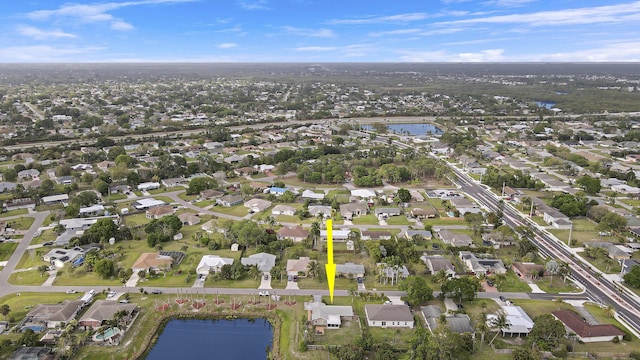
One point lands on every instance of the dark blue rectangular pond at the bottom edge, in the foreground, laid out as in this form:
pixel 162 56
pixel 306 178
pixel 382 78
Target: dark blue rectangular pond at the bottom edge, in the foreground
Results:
pixel 207 339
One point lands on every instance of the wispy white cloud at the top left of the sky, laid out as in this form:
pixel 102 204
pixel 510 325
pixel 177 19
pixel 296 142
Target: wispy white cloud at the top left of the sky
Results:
pixel 95 13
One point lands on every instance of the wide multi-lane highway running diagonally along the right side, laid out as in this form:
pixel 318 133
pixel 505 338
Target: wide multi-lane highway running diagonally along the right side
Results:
pixel 597 288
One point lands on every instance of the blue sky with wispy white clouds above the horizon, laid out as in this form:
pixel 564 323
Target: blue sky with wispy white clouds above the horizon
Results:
pixel 320 31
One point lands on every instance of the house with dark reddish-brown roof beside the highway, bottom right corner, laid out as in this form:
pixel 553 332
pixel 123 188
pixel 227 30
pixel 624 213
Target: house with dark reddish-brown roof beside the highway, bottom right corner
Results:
pixel 584 331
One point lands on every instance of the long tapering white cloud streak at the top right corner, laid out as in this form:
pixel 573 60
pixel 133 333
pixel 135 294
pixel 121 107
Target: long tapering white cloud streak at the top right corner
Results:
pixel 588 15
